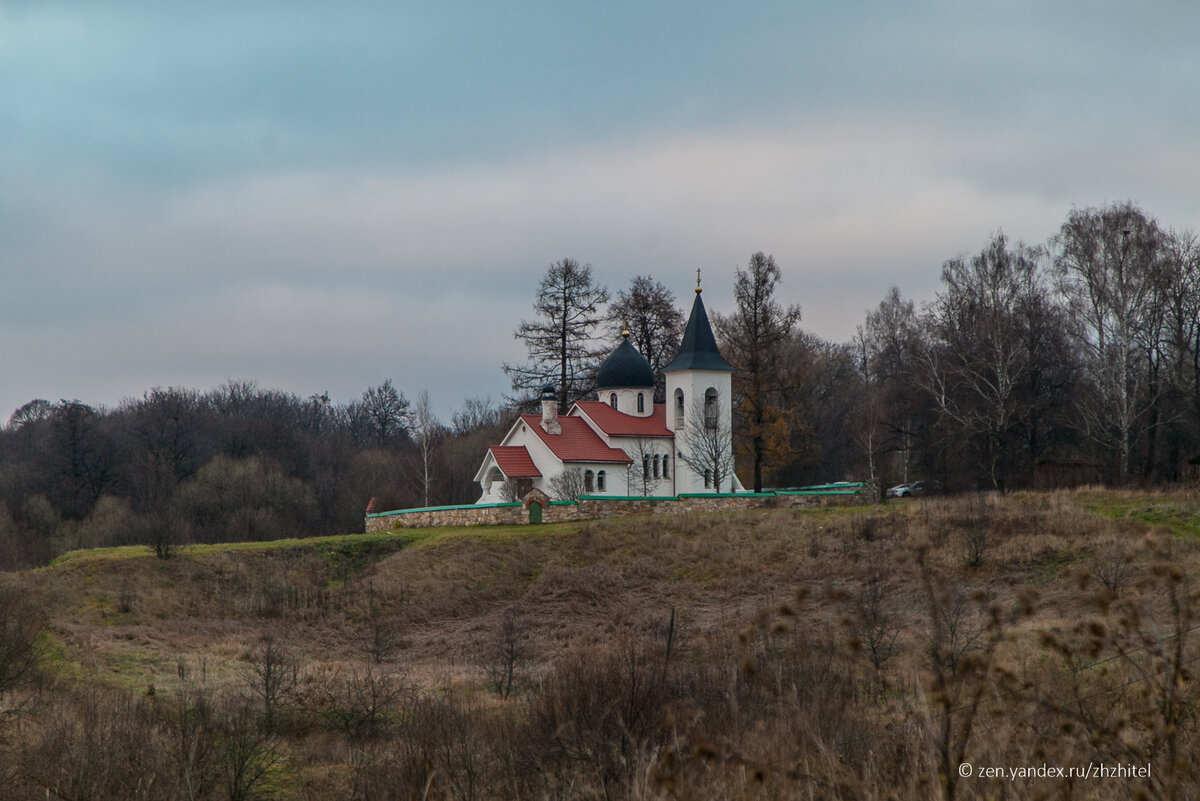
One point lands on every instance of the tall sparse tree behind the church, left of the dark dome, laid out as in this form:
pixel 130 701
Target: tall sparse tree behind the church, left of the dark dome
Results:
pixel 560 339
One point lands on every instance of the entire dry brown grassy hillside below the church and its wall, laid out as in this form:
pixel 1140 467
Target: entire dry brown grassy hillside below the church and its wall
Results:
pixel 884 653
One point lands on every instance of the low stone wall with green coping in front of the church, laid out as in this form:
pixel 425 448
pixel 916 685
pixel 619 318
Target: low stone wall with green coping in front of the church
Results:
pixel 598 508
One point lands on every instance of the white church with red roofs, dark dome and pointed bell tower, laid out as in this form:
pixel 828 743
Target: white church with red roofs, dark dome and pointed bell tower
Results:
pixel 625 444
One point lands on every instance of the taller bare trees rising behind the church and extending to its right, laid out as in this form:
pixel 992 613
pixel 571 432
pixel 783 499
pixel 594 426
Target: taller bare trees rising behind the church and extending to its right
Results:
pixel 1072 362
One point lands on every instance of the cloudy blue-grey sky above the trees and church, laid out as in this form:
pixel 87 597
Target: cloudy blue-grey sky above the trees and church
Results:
pixel 322 196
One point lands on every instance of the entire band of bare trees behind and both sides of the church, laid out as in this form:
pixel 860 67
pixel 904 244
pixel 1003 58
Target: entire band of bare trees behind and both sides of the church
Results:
pixel 1077 360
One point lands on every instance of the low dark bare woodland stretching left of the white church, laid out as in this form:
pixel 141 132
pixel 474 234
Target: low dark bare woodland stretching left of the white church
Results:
pixel 236 463
